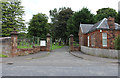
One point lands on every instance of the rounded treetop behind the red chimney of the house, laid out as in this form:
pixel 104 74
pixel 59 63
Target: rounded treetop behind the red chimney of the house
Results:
pixel 105 13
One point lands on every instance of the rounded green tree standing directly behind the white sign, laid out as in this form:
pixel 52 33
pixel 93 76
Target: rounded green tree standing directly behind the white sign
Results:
pixel 38 25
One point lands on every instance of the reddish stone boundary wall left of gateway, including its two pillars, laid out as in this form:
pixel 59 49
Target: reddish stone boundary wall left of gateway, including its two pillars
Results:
pixel 9 46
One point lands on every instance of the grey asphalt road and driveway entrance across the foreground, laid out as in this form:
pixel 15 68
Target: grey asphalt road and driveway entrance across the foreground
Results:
pixel 57 63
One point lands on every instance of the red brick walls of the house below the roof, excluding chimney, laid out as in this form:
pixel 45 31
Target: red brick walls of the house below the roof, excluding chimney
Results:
pixel 111 34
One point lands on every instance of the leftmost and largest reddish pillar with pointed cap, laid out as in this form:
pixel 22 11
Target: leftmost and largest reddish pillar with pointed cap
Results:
pixel 14 36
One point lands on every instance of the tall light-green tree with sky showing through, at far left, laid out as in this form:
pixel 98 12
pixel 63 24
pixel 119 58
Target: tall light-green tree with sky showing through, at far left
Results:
pixel 12 13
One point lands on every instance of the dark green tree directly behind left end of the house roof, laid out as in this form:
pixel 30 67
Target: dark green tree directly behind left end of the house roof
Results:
pixel 83 16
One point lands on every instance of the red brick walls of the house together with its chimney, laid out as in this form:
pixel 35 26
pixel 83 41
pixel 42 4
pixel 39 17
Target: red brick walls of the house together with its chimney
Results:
pixel 95 37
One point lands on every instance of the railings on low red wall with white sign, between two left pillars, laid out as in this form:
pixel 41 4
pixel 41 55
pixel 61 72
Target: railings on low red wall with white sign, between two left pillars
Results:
pixel 32 45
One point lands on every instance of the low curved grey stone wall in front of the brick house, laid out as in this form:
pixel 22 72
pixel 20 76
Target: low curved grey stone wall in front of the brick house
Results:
pixel 100 52
